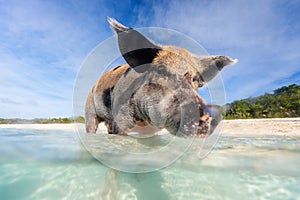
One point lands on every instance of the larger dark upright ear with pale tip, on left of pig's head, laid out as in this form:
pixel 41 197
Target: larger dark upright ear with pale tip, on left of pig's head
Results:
pixel 136 49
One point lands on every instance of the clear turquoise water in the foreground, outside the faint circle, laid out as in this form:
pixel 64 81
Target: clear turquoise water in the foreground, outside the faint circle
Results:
pixel 52 164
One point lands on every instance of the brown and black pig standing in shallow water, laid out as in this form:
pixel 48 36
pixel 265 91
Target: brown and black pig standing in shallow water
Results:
pixel 156 88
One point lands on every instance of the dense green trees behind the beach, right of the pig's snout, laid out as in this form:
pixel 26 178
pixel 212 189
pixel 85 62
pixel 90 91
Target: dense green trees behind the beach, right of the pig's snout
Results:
pixel 284 102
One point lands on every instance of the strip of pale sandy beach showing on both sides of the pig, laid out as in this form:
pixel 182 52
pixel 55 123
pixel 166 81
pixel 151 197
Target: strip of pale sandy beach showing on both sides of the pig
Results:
pixel 240 127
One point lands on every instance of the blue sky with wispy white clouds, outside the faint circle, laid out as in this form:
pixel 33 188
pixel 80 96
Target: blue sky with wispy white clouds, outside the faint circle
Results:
pixel 44 43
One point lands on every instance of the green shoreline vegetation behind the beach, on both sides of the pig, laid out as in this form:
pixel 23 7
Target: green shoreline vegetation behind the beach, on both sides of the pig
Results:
pixel 284 102
